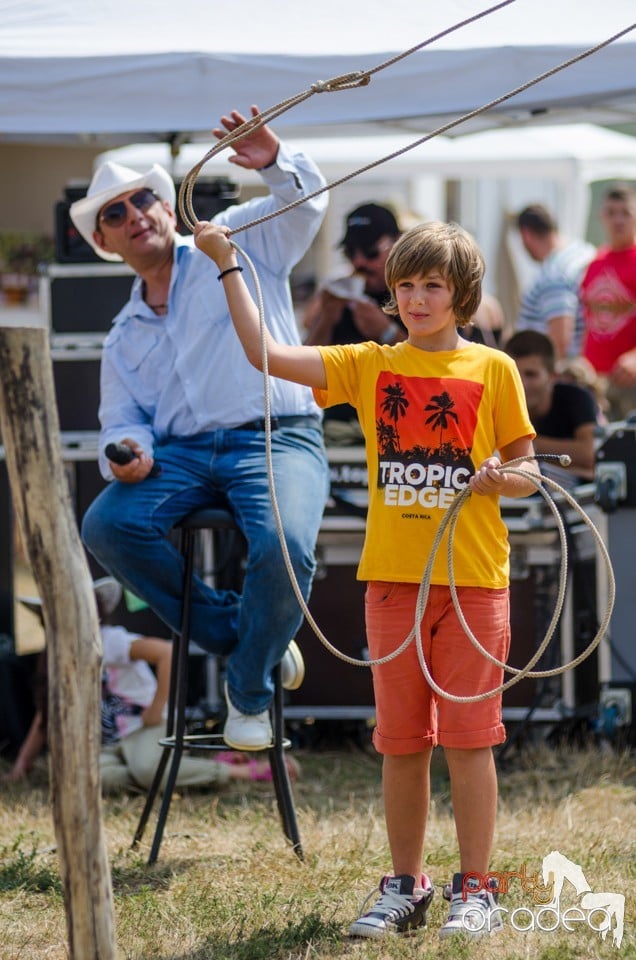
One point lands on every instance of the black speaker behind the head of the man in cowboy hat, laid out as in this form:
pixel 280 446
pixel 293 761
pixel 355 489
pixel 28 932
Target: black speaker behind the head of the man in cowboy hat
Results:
pixel 209 197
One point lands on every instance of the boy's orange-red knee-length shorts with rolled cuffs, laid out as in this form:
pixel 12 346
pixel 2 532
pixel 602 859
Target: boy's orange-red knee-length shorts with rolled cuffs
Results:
pixel 410 715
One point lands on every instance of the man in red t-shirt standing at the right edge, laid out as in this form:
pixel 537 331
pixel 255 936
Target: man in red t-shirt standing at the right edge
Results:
pixel 608 293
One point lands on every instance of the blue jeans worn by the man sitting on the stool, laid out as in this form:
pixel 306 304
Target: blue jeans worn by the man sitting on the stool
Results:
pixel 126 529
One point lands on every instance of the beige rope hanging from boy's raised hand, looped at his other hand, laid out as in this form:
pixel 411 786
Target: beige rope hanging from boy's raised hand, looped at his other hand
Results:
pixel 449 521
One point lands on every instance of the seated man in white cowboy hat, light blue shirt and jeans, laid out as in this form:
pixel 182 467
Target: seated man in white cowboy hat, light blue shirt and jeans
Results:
pixel 177 390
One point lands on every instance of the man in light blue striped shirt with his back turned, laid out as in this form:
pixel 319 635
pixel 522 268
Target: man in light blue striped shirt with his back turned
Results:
pixel 551 303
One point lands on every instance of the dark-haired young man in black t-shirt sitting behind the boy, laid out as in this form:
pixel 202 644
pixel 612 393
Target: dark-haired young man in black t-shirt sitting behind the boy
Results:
pixel 564 415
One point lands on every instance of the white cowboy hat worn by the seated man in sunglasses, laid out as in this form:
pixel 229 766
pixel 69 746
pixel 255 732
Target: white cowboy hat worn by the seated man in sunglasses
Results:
pixel 111 180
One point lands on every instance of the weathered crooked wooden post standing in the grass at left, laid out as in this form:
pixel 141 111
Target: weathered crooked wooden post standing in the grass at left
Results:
pixel 41 500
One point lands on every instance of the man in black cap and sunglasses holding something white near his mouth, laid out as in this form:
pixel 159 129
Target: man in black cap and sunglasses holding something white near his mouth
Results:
pixel 349 309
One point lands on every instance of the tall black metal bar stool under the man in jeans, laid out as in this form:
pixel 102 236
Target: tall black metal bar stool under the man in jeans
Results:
pixel 176 737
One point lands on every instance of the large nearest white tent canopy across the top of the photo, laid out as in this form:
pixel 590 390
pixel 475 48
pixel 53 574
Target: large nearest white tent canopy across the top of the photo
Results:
pixel 111 71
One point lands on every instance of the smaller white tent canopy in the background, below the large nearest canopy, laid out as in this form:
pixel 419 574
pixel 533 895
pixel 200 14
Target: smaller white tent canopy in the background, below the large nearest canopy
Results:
pixel 560 162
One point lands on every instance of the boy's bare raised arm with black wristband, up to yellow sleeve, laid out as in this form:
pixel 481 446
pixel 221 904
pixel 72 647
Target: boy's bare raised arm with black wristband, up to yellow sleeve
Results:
pixel 301 364
